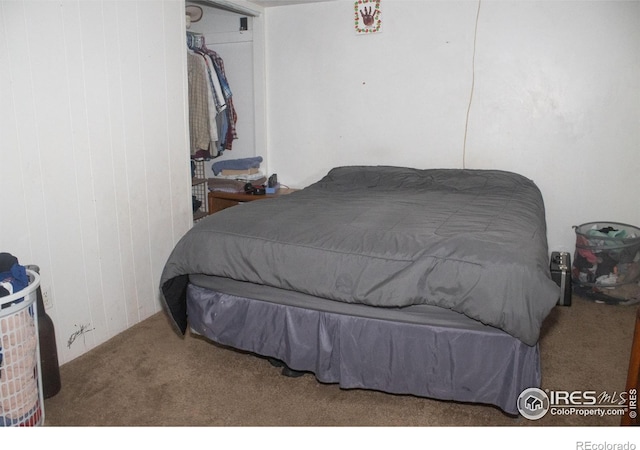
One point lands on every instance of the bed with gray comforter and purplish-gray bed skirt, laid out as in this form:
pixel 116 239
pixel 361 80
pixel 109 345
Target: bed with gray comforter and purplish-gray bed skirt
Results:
pixel 427 282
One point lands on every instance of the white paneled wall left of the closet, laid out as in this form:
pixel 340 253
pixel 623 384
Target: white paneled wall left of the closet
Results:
pixel 94 156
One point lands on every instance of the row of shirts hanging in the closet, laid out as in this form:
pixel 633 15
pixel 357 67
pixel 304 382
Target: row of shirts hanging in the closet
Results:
pixel 212 116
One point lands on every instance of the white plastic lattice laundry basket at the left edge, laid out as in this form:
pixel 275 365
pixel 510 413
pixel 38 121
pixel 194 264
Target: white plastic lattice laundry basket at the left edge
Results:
pixel 21 396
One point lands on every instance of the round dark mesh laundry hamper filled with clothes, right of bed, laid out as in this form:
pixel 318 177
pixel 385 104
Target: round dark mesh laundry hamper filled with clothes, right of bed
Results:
pixel 606 263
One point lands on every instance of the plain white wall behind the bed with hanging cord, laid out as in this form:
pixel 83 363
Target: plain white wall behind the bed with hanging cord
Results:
pixel 556 96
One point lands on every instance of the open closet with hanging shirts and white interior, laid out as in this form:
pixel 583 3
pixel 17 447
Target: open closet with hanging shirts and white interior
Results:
pixel 224 44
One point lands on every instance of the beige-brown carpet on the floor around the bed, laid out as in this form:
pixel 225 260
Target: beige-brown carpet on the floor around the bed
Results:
pixel 150 376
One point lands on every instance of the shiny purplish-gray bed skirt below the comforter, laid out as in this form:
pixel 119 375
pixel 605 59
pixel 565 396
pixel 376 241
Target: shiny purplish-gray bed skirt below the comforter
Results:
pixel 474 363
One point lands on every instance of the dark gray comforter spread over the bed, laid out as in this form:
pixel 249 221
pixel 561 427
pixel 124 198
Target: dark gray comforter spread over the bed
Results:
pixel 473 241
